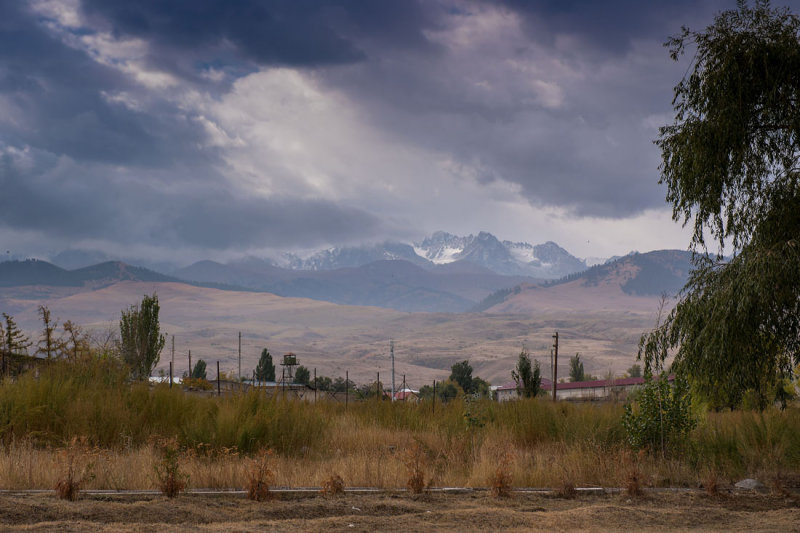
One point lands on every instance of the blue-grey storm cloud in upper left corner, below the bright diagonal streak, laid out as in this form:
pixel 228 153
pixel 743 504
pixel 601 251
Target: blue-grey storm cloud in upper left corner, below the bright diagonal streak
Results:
pixel 55 101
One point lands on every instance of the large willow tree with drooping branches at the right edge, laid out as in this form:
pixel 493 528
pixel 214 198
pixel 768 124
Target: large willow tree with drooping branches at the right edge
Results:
pixel 730 165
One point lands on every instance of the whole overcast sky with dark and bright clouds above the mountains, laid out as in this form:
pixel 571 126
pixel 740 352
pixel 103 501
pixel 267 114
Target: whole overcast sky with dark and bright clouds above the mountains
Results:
pixel 180 130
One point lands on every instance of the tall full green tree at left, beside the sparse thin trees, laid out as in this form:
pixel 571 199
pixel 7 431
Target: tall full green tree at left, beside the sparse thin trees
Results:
pixel 141 341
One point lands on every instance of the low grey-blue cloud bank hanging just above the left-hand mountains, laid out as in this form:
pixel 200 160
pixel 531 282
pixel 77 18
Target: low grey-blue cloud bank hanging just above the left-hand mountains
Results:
pixel 41 194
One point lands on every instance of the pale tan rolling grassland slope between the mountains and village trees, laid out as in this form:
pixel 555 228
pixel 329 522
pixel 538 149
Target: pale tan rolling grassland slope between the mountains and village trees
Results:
pixel 336 338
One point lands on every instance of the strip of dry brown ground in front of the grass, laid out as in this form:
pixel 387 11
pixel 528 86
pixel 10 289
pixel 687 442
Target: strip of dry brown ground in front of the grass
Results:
pixel 401 512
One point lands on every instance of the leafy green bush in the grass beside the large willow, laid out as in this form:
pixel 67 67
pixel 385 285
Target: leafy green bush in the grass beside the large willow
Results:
pixel 662 418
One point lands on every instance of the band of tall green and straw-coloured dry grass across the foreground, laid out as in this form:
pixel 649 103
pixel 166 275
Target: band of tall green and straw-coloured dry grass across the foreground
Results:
pixel 553 445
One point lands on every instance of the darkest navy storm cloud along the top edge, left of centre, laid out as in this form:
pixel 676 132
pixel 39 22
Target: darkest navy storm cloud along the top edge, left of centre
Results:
pixel 185 36
